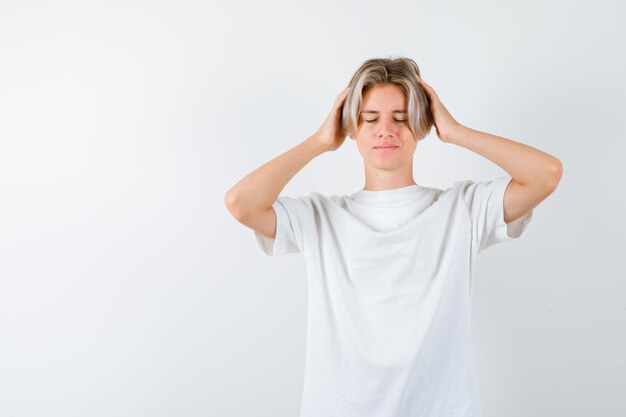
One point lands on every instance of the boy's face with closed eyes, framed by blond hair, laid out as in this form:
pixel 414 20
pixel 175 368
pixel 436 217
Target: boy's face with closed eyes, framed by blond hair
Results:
pixel 383 122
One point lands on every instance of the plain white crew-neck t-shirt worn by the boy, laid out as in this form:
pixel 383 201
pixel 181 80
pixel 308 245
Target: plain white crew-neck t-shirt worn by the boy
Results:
pixel 390 278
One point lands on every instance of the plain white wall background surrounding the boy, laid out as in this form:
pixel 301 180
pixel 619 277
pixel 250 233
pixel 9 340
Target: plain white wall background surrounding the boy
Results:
pixel 127 288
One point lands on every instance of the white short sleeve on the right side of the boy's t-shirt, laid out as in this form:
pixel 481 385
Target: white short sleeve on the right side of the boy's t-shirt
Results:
pixel 485 203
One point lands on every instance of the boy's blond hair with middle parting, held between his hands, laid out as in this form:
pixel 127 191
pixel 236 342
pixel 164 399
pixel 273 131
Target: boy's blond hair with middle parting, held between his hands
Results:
pixel 402 72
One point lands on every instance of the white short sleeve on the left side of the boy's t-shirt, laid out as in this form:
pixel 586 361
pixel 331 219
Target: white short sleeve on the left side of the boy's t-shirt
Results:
pixel 295 227
